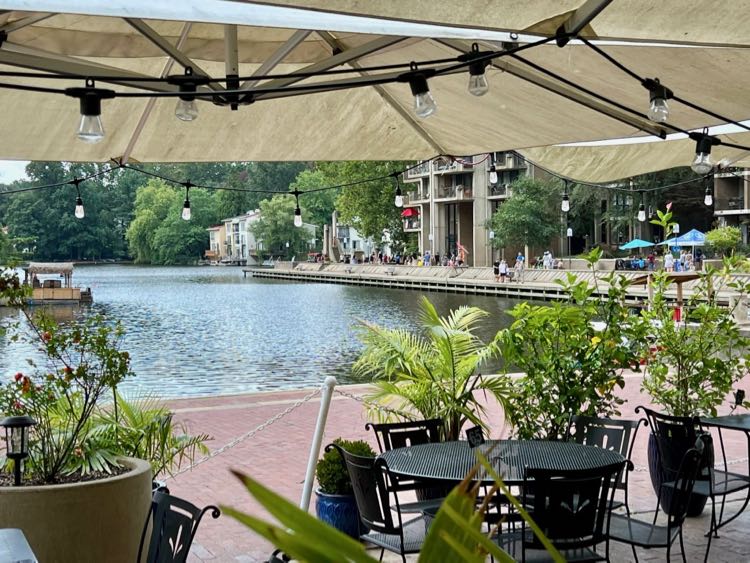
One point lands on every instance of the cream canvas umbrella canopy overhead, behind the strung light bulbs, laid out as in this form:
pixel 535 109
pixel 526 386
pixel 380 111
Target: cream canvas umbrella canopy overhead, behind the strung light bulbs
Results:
pixel 701 58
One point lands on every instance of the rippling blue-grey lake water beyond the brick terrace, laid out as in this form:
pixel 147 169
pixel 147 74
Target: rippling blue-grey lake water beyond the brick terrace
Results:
pixel 196 331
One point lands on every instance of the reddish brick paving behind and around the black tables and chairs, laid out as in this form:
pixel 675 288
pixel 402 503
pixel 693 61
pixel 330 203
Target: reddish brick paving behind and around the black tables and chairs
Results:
pixel 277 456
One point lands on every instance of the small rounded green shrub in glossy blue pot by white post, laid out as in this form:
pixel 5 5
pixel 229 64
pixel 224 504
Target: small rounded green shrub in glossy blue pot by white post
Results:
pixel 335 502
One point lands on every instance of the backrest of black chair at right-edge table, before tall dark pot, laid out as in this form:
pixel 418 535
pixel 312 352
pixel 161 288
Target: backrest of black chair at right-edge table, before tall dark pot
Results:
pixel 675 435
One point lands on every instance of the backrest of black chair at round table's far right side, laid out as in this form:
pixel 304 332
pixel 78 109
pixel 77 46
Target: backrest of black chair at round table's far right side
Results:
pixel 608 433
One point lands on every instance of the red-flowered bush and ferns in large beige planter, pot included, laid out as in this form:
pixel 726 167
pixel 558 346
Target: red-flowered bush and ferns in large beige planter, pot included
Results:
pixel 81 499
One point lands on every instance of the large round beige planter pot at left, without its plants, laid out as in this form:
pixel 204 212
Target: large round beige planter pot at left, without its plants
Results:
pixel 95 521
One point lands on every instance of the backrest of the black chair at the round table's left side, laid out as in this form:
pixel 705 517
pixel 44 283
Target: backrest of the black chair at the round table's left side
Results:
pixel 370 484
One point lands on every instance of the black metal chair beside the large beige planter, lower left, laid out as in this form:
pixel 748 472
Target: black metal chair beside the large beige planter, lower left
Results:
pixel 175 522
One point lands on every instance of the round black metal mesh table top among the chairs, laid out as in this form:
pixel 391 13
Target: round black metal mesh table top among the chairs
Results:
pixel 452 461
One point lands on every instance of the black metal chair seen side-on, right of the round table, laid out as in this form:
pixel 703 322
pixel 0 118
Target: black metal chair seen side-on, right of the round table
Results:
pixel 648 535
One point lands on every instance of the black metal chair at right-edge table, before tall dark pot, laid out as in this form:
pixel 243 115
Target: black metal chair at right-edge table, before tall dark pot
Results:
pixel 675 435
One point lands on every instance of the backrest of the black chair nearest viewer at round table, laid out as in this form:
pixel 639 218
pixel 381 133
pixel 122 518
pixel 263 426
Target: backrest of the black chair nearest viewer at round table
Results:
pixel 571 507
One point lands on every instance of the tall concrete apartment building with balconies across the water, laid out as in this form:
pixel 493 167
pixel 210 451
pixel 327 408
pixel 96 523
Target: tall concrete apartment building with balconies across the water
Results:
pixel 448 202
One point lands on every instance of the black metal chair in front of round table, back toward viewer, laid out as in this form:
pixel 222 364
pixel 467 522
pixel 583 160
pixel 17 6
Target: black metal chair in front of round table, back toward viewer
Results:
pixel 572 508
